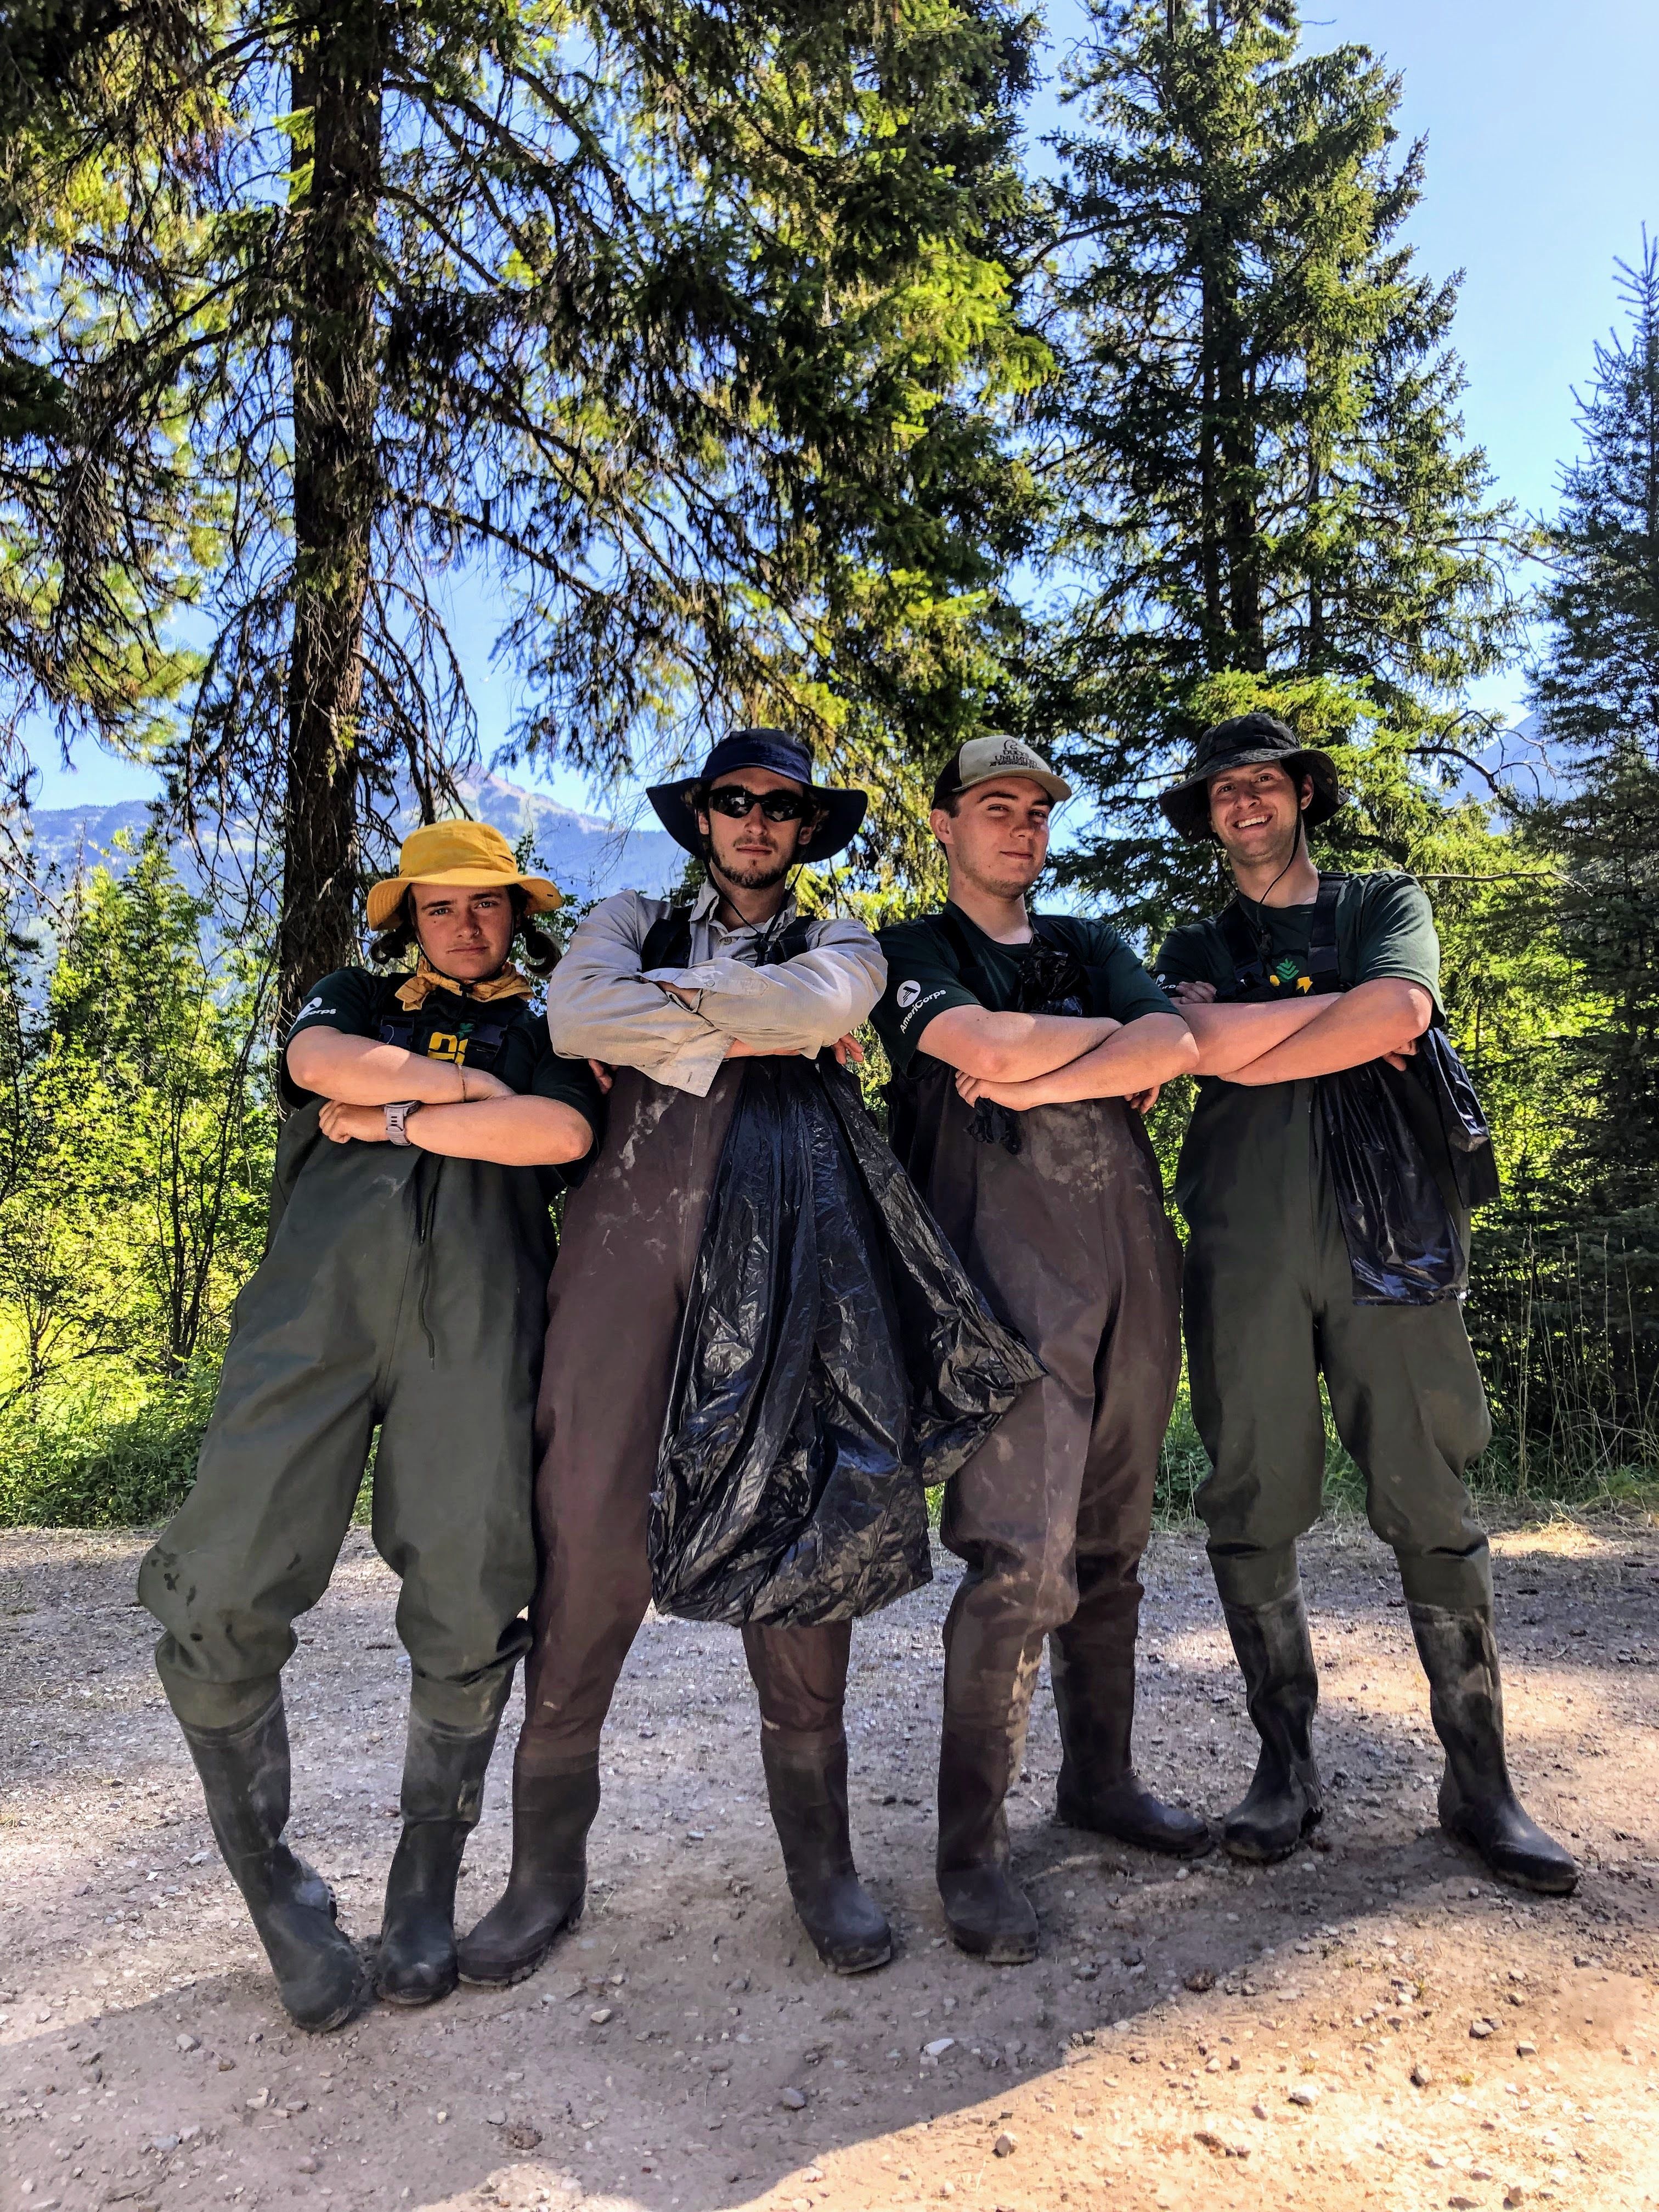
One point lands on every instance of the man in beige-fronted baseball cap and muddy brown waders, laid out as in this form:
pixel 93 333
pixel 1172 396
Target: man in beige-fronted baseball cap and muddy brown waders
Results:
pixel 1019 1047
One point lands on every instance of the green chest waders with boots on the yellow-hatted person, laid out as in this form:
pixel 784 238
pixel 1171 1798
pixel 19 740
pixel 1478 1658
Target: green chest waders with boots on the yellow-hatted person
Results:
pixel 401 1293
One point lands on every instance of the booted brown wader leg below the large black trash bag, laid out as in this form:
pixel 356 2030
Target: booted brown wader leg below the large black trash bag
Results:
pixel 802 1680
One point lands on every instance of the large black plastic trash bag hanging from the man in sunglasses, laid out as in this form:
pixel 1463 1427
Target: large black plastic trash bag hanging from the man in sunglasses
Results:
pixel 833 1361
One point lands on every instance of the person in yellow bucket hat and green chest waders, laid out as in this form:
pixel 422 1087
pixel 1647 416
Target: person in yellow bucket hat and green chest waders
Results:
pixel 401 1297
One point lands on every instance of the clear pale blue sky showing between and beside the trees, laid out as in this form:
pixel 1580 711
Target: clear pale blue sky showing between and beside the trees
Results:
pixel 1543 127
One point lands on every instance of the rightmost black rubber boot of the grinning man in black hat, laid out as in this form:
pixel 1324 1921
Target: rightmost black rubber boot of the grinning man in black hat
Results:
pixel 1477 1799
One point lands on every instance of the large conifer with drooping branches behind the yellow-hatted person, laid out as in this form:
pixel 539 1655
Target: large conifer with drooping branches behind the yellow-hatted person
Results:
pixel 685 322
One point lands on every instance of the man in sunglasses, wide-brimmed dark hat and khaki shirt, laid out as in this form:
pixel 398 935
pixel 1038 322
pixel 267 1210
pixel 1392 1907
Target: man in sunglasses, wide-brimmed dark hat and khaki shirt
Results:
pixel 676 999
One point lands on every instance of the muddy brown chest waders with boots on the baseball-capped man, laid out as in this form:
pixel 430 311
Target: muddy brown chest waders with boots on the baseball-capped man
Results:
pixel 1058 1215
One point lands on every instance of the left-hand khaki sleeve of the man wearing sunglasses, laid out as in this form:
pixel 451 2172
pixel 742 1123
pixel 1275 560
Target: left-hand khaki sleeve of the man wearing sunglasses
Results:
pixel 601 1008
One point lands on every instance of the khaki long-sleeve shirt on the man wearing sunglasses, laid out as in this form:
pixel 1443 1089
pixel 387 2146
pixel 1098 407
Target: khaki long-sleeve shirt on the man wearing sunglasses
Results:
pixel 676 1025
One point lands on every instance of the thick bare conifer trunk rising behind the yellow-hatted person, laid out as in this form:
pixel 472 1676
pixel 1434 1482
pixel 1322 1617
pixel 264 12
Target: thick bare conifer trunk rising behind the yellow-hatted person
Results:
pixel 335 364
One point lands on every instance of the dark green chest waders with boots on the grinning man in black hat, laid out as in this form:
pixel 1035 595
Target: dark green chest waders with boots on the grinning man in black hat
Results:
pixel 1269 1304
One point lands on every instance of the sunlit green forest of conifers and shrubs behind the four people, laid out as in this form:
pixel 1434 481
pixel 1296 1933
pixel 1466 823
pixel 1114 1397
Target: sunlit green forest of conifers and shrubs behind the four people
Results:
pixel 766 373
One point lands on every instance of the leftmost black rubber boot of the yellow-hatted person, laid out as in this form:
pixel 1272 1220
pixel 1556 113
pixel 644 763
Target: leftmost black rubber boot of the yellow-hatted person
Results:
pixel 244 1777
